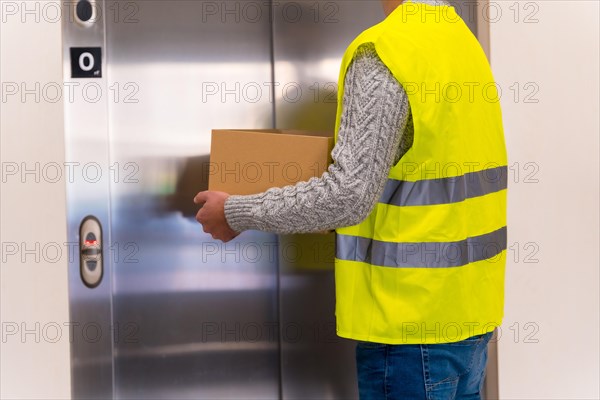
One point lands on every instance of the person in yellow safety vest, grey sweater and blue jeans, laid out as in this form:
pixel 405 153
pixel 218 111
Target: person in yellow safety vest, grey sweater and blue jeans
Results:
pixel 417 195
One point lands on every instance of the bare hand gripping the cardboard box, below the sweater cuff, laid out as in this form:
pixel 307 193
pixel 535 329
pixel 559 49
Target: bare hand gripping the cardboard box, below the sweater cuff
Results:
pixel 212 215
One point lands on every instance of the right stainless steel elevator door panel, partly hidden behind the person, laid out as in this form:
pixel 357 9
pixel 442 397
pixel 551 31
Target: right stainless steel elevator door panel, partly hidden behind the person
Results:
pixel 309 40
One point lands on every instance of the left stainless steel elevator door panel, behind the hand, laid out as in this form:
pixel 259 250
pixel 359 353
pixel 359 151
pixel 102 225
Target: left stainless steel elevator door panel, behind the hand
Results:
pixel 198 319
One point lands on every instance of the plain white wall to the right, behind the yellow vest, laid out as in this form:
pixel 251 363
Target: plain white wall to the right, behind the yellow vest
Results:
pixel 559 214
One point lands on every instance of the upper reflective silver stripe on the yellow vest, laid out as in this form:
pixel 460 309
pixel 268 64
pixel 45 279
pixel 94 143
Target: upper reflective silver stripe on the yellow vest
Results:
pixel 444 190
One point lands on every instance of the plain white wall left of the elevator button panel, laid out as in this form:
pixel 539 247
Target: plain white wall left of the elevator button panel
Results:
pixel 33 293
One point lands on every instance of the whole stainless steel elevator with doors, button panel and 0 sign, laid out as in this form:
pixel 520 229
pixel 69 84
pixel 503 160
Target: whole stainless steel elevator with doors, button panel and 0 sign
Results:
pixel 163 310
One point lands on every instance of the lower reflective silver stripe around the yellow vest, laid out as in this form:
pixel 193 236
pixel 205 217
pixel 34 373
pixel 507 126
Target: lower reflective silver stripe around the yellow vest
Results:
pixel 421 255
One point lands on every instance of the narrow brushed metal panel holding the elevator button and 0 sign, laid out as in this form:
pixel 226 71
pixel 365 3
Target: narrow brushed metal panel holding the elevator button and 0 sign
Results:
pixel 87 163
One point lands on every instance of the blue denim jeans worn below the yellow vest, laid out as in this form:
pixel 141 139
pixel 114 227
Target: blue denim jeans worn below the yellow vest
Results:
pixel 443 371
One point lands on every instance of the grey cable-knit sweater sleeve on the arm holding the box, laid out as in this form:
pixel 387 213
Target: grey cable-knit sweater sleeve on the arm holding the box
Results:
pixel 375 112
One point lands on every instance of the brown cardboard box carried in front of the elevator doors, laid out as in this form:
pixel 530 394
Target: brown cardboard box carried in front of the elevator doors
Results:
pixel 249 161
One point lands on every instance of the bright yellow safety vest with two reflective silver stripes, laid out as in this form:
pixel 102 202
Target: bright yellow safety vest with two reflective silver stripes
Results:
pixel 427 265
